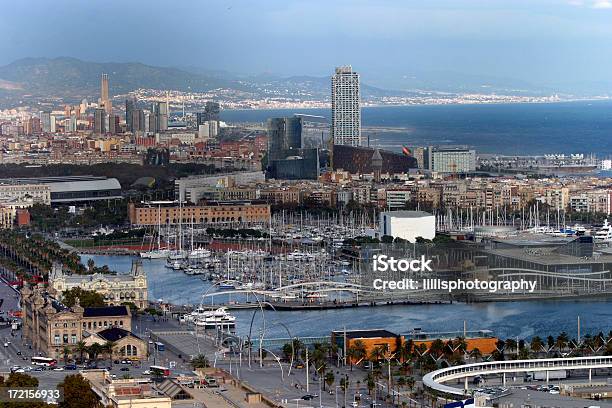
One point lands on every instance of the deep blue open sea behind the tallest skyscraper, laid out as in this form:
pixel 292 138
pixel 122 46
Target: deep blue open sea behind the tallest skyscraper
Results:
pixel 510 129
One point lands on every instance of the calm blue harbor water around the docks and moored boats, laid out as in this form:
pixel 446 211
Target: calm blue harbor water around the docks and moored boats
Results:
pixel 522 319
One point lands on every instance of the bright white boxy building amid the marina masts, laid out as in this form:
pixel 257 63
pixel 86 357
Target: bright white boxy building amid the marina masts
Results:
pixel 408 225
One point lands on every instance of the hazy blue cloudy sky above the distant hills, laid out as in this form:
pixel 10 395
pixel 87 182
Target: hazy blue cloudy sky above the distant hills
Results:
pixel 538 41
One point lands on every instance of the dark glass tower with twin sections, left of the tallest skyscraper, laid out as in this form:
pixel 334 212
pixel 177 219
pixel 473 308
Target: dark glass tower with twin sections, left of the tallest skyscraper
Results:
pixel 283 134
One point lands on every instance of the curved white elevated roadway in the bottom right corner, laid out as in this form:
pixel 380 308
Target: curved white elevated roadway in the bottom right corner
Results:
pixel 435 379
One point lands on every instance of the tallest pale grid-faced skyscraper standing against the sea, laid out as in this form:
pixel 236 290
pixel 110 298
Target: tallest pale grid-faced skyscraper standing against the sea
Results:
pixel 346 109
